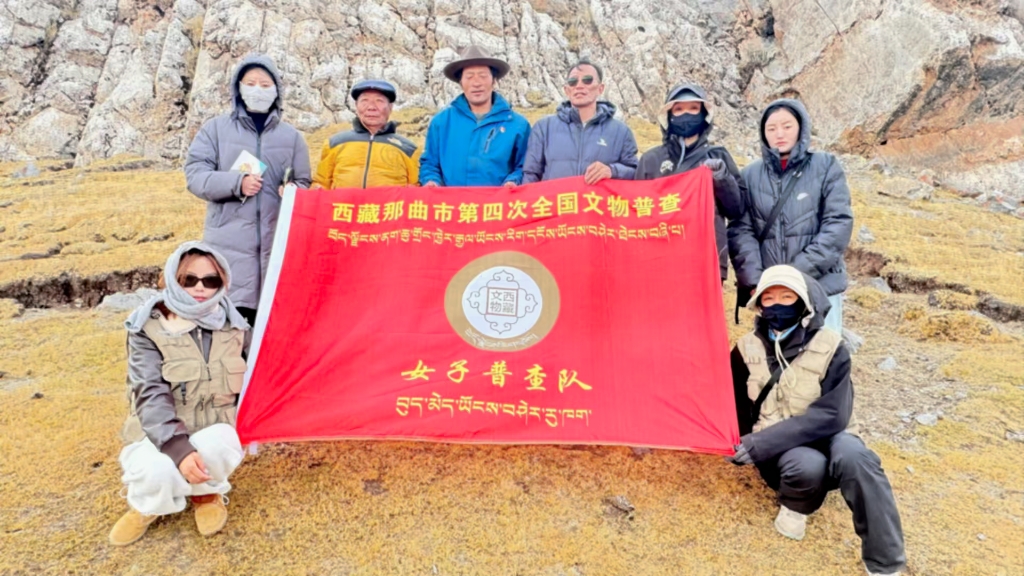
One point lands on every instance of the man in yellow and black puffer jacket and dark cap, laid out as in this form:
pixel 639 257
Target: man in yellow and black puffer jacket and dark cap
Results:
pixel 371 154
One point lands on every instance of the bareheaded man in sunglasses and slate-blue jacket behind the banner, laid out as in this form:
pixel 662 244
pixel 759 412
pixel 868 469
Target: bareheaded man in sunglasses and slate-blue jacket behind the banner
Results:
pixel 583 139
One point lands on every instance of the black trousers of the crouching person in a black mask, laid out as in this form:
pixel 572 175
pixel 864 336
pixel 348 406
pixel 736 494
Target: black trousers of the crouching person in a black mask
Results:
pixel 804 476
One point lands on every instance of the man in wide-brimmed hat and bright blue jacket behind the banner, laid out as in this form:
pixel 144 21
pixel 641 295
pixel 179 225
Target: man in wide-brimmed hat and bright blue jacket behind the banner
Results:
pixel 477 141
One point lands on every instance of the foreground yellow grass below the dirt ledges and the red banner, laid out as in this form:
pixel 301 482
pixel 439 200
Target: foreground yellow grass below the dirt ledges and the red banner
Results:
pixel 404 509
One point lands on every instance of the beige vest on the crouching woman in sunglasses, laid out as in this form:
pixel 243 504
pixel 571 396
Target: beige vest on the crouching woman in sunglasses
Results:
pixel 205 393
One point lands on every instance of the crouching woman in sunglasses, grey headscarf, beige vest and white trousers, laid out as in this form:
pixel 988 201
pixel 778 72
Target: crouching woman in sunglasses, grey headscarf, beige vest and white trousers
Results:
pixel 185 374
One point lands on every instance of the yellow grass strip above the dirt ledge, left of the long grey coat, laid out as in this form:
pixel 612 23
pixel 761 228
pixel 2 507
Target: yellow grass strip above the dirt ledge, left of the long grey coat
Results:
pixel 99 222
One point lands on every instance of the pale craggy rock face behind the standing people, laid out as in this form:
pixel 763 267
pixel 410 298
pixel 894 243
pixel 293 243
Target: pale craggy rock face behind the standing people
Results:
pixel 911 81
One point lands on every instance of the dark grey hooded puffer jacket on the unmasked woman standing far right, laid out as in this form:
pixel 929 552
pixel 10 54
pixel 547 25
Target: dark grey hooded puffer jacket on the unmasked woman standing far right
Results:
pixel 814 230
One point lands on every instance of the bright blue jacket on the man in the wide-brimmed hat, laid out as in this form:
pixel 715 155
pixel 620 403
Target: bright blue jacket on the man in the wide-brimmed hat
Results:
pixel 462 151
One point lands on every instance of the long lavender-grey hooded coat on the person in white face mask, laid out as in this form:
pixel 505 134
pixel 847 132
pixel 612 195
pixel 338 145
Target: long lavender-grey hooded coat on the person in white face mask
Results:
pixel 243 231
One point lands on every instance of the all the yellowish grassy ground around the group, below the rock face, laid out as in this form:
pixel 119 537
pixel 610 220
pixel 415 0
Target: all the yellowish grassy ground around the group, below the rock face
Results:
pixel 365 508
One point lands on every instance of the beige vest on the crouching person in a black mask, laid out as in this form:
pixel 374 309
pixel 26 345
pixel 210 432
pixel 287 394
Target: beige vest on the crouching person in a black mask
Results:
pixel 798 387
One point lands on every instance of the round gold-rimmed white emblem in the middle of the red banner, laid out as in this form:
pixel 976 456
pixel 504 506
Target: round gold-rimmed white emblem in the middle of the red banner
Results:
pixel 505 302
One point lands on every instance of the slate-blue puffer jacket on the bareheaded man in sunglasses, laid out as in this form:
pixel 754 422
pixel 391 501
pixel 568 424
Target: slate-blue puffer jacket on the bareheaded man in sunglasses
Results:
pixel 562 146
